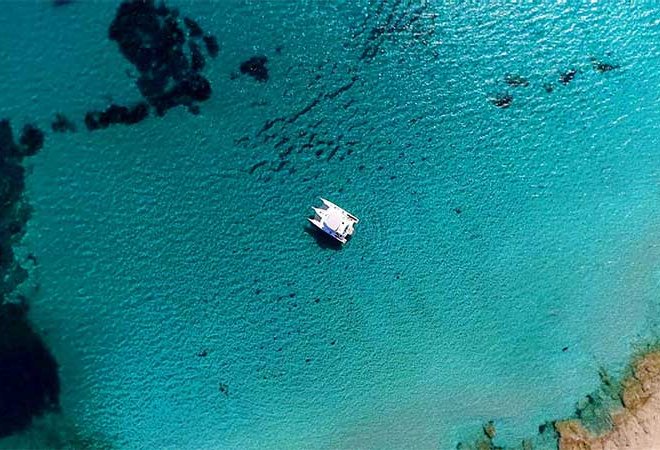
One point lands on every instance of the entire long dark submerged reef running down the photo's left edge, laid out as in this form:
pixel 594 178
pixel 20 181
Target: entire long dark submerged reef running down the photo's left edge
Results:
pixel 29 381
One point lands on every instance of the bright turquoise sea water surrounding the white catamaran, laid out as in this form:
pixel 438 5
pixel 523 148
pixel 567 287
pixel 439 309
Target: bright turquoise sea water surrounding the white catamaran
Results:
pixel 159 242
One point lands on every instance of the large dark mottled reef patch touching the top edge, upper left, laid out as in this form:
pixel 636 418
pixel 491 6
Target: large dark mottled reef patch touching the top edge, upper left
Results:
pixel 152 39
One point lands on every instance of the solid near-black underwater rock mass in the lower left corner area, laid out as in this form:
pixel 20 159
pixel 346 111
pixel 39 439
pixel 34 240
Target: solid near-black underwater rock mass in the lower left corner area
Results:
pixel 30 382
